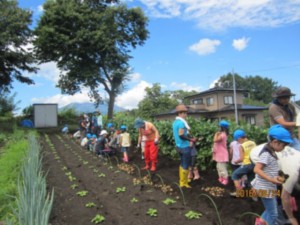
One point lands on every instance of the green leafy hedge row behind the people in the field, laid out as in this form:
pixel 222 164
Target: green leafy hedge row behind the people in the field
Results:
pixel 204 130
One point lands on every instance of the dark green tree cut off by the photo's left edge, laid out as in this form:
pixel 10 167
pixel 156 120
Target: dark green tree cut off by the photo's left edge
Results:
pixel 15 36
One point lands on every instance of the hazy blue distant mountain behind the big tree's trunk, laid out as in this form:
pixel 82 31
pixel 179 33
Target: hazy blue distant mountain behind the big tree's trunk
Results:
pixel 88 107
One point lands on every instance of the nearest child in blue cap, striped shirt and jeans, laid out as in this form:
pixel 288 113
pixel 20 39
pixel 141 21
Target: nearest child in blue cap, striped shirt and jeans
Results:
pixel 266 170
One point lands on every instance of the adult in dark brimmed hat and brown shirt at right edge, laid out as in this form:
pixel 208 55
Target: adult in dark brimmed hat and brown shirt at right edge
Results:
pixel 282 112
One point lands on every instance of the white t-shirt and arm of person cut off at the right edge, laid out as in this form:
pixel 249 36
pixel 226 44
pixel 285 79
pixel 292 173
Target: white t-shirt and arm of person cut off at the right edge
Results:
pixel 289 163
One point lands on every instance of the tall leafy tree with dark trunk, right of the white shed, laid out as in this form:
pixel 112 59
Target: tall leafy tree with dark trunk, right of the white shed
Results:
pixel 91 42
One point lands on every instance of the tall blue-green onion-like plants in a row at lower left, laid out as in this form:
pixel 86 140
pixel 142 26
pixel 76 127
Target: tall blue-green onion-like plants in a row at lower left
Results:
pixel 34 204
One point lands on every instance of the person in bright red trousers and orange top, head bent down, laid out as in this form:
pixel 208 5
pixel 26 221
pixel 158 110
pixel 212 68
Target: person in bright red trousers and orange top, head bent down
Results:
pixel 150 135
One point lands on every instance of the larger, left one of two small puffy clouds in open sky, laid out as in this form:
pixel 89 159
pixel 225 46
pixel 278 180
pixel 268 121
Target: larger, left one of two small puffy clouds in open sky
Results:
pixel 205 46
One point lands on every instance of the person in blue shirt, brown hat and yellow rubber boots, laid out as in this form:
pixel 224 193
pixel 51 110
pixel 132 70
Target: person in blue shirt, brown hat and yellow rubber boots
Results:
pixel 183 143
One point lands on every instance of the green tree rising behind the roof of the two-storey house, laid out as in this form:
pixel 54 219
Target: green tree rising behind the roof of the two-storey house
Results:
pixel 258 88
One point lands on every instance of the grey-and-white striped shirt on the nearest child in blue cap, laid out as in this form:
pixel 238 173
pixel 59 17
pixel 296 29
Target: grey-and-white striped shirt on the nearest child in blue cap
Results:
pixel 271 169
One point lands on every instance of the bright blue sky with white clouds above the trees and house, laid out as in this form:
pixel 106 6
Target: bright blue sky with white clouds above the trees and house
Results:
pixel 192 43
